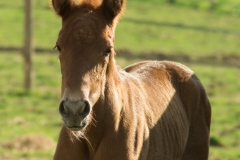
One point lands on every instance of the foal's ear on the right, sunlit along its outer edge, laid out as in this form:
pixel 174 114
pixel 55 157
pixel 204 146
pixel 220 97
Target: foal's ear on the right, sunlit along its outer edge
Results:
pixel 113 8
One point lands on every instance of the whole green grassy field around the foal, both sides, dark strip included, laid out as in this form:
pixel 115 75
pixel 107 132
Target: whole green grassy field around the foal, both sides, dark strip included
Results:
pixel 207 42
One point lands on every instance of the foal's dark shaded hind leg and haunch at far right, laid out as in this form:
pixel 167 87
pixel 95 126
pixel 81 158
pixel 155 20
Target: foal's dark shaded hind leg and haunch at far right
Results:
pixel 198 107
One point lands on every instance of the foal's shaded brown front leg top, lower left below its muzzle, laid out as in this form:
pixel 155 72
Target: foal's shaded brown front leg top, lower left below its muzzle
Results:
pixel 69 149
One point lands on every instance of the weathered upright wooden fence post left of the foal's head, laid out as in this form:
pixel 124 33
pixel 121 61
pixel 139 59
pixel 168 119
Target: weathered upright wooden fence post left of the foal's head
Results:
pixel 28 45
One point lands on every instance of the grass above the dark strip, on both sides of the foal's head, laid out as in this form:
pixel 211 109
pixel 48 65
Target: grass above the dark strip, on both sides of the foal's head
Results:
pixel 170 28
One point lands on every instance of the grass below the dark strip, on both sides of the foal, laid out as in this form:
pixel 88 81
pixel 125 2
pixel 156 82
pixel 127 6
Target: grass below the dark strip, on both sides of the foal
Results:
pixel 36 112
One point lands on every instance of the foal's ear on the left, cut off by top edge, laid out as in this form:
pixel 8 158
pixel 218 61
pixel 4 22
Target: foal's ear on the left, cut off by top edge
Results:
pixel 63 7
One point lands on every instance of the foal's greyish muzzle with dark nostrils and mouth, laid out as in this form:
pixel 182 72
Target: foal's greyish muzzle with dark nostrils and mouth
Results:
pixel 74 113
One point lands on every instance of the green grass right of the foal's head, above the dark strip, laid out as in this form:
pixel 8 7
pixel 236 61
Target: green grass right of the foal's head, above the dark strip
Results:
pixel 176 32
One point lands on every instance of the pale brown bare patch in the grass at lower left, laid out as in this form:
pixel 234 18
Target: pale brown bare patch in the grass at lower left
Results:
pixel 30 142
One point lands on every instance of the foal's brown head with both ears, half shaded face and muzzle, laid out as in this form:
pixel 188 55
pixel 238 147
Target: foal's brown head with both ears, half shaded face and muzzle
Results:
pixel 85 44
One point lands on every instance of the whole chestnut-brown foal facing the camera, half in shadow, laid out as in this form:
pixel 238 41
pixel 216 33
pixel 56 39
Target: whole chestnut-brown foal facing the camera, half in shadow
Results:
pixel 152 110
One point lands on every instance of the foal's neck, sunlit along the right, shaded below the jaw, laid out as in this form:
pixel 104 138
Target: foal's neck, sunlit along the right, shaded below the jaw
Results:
pixel 107 110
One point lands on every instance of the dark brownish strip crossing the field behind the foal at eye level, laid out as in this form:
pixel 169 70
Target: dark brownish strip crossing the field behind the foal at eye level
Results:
pixel 214 59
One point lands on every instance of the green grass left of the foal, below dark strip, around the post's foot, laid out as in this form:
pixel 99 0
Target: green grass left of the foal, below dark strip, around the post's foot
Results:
pixel 28 112
